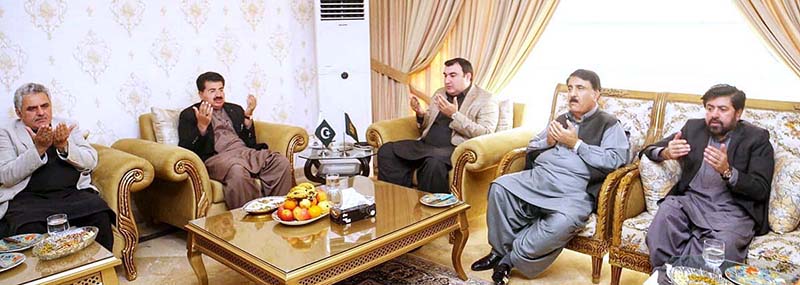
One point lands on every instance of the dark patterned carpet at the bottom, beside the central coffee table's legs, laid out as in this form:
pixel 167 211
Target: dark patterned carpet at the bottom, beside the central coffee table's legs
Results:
pixel 409 269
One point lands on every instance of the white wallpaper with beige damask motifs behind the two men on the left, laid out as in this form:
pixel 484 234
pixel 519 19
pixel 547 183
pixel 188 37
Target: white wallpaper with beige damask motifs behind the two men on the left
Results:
pixel 107 62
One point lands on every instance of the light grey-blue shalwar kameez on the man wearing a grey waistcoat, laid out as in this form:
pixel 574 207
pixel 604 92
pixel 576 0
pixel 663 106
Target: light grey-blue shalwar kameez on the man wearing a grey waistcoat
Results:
pixel 532 214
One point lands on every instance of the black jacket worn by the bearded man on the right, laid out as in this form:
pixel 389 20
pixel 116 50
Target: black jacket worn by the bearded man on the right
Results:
pixel 749 151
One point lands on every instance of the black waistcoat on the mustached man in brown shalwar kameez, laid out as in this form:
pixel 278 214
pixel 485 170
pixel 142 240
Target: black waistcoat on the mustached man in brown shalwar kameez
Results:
pixel 190 138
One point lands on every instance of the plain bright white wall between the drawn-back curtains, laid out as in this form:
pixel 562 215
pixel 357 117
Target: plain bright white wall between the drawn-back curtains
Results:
pixel 668 46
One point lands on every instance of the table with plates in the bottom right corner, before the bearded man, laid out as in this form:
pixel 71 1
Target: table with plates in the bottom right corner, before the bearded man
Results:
pixel 692 269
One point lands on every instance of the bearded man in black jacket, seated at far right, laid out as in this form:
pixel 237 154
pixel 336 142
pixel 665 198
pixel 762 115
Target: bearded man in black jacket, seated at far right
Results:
pixel 727 167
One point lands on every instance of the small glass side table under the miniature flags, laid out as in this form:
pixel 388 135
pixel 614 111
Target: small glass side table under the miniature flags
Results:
pixel 353 160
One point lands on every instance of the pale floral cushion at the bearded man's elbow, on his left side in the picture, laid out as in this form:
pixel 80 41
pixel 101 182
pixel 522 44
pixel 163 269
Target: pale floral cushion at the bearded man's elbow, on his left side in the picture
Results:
pixel 657 180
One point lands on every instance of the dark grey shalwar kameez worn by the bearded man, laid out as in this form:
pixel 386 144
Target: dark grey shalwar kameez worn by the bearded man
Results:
pixel 706 210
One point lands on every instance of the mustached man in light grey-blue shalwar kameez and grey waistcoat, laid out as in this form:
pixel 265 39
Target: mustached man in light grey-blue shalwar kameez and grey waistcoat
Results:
pixel 532 214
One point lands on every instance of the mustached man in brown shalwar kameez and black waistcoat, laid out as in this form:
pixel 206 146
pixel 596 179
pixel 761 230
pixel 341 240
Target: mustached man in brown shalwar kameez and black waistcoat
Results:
pixel 222 134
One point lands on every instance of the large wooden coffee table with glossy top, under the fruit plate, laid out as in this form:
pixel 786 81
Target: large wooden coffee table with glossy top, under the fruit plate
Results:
pixel 323 252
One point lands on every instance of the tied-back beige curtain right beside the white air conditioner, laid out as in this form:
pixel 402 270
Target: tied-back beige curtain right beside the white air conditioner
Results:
pixel 404 36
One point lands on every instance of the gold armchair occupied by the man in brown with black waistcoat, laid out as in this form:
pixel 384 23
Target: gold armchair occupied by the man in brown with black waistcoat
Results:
pixel 182 190
